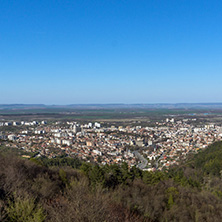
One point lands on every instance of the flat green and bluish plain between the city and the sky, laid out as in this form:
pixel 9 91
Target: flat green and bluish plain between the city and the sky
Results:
pixel 110 113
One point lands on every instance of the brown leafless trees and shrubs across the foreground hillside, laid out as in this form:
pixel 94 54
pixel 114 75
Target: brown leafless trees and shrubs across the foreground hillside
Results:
pixel 66 195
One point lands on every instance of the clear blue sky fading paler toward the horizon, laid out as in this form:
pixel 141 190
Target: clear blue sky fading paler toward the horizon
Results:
pixel 110 51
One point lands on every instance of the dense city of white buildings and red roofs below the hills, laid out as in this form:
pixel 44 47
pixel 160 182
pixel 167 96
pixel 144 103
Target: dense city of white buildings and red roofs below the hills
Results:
pixel 149 148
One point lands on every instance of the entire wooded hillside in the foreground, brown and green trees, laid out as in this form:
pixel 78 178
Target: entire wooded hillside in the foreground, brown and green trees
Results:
pixel 65 189
